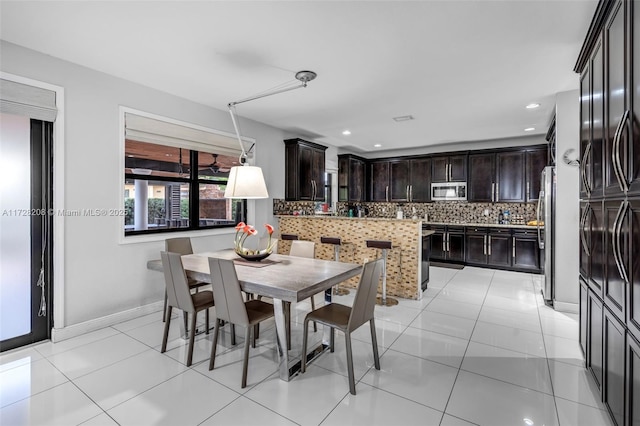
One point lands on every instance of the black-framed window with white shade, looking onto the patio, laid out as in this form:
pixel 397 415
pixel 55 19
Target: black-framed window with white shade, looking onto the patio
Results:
pixel 176 183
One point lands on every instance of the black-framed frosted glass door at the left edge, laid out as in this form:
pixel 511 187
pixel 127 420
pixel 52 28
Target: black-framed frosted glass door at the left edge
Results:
pixel 25 230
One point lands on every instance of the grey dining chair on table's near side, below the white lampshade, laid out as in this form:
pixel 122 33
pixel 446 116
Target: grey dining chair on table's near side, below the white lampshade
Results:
pixel 232 308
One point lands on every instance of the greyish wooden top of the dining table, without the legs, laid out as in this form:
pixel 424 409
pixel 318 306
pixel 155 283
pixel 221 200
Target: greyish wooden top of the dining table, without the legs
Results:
pixel 288 278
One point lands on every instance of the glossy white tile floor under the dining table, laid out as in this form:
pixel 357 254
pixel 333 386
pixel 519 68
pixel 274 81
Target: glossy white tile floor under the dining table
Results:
pixel 479 348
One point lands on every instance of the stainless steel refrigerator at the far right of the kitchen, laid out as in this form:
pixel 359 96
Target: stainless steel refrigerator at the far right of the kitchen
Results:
pixel 546 229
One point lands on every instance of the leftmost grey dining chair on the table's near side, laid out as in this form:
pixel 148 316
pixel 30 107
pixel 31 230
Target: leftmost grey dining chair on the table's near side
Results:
pixel 180 296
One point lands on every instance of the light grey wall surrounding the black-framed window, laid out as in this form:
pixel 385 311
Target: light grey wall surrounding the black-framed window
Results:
pixel 102 276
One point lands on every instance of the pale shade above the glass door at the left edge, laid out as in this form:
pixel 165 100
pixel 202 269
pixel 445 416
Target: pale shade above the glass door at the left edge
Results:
pixel 28 101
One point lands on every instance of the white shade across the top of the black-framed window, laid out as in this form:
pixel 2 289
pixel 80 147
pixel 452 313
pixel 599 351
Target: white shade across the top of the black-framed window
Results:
pixel 149 130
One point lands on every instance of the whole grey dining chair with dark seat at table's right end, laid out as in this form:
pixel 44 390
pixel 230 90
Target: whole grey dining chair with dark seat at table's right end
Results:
pixel 348 319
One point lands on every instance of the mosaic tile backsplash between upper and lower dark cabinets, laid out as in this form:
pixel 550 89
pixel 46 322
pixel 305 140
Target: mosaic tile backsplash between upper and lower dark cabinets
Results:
pixel 439 211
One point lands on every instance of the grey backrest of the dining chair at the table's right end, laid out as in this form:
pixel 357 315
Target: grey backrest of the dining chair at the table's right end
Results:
pixel 365 300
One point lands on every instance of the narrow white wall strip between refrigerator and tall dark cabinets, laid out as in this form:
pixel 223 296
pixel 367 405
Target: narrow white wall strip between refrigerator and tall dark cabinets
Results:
pixel 566 260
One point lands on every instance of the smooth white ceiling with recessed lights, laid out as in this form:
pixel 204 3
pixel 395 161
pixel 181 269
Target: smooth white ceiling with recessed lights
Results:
pixel 463 69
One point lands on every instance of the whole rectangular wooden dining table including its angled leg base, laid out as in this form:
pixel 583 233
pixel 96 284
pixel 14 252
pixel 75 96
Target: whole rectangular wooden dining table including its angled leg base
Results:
pixel 283 278
